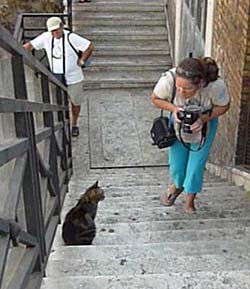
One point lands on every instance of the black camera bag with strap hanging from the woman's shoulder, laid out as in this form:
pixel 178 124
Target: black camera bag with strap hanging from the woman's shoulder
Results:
pixel 162 131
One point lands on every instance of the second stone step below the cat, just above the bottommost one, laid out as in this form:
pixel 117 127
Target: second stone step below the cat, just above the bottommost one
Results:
pixel 144 265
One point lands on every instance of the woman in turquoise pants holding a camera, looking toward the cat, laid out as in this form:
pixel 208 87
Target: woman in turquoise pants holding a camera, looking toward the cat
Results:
pixel 201 97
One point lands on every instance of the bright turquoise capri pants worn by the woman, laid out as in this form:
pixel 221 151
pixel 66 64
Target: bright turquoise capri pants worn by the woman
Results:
pixel 187 167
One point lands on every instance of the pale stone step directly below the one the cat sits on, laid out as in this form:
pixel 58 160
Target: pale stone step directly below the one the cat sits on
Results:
pixel 151 250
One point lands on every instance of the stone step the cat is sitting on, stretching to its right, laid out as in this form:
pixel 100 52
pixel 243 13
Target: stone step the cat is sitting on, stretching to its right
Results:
pixel 131 236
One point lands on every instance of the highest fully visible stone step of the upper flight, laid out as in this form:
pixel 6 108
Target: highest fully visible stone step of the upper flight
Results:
pixel 117 7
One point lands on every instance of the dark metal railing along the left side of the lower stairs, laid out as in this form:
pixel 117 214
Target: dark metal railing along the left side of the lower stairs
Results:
pixel 35 163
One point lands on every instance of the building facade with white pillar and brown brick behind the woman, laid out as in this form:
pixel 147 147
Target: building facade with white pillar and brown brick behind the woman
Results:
pixel 220 29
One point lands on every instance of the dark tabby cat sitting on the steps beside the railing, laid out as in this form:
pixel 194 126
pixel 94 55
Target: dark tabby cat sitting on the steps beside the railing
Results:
pixel 79 225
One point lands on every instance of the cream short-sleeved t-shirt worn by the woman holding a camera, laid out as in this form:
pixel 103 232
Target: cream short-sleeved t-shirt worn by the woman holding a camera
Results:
pixel 214 94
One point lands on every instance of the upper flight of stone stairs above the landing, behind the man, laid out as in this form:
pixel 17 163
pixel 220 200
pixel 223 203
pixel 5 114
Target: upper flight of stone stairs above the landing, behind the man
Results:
pixel 130 38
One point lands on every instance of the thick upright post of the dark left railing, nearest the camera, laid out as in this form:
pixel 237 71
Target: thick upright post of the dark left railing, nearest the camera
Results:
pixel 31 187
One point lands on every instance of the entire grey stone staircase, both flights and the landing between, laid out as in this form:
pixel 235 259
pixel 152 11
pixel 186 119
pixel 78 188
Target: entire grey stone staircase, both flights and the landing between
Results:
pixel 139 242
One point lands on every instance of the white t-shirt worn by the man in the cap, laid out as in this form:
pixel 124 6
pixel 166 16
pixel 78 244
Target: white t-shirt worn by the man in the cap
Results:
pixel 73 72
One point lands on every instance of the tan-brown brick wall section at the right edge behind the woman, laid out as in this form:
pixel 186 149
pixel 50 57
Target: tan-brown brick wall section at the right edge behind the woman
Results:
pixel 231 49
